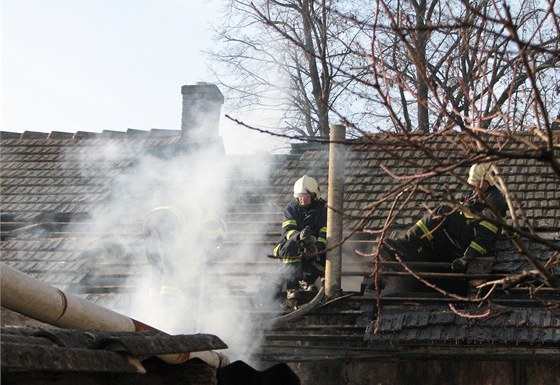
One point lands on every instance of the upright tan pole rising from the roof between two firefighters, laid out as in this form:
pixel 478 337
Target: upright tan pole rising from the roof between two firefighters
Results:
pixel 335 199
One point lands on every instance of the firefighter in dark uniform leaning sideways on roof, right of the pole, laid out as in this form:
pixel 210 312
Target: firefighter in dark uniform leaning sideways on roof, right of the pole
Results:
pixel 455 235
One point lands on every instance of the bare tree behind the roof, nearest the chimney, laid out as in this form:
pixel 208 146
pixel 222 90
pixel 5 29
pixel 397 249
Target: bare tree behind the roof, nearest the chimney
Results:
pixel 287 55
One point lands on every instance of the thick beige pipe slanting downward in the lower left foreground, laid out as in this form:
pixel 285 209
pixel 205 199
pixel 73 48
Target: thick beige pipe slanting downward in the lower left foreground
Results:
pixel 33 298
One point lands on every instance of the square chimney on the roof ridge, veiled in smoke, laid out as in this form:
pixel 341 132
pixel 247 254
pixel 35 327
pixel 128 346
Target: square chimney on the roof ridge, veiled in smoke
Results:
pixel 200 120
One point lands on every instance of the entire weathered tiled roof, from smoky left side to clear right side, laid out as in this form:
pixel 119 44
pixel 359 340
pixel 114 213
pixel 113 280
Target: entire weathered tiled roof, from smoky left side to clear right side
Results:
pixel 73 208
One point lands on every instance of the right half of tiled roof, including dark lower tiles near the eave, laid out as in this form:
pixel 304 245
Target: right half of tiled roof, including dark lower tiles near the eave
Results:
pixel 431 169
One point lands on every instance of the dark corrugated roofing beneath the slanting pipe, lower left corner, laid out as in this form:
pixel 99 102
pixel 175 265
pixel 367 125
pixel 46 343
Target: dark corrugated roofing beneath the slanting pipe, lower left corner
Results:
pixel 67 350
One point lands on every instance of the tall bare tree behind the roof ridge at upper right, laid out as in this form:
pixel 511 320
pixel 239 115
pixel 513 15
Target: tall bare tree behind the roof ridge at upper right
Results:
pixel 464 63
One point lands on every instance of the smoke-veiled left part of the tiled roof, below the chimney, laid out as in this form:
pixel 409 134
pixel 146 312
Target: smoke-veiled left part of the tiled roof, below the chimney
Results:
pixel 55 188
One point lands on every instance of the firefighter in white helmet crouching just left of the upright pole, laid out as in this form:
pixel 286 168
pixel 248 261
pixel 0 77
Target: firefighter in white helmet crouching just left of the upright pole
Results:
pixel 304 240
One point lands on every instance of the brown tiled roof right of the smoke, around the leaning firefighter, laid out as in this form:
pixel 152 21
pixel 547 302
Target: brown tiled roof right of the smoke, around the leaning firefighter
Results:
pixel 368 179
